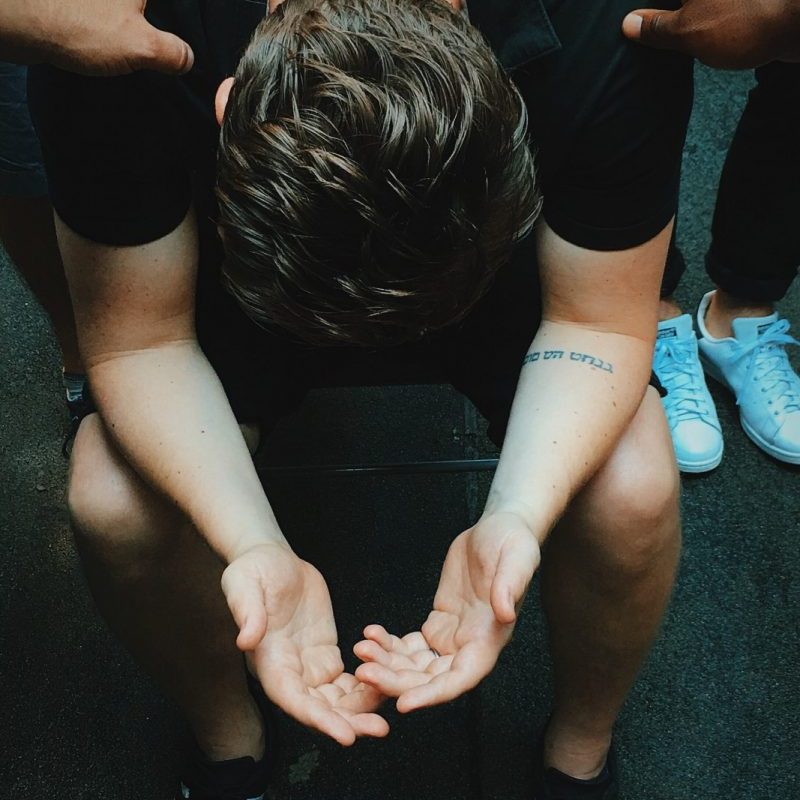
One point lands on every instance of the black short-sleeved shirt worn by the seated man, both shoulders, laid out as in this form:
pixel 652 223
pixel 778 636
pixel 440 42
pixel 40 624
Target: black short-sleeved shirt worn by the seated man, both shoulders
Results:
pixel 125 156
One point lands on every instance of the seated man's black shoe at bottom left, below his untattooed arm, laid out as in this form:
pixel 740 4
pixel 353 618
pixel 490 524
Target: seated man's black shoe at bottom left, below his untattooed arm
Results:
pixel 236 779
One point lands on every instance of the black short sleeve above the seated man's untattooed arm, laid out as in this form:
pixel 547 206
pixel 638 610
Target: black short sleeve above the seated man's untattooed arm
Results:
pixel 111 152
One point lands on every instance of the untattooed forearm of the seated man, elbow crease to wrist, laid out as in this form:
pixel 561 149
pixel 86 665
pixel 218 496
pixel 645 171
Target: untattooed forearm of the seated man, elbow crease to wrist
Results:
pixel 168 412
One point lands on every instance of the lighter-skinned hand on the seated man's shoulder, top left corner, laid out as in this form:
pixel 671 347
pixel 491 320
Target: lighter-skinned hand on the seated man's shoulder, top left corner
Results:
pixel 94 37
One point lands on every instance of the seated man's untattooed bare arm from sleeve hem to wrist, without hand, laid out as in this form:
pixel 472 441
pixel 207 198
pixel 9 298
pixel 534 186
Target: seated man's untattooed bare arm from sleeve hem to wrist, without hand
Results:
pixel 158 395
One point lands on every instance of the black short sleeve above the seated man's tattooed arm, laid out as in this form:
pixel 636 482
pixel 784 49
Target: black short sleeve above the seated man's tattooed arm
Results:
pixel 608 119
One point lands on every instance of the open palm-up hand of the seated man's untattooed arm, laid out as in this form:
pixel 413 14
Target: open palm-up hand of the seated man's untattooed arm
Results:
pixel 286 627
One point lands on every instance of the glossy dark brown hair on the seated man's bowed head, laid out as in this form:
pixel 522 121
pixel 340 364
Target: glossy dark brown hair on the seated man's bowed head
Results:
pixel 373 171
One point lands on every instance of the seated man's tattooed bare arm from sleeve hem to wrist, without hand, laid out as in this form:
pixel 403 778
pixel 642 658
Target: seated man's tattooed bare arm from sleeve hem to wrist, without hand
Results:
pixel 584 375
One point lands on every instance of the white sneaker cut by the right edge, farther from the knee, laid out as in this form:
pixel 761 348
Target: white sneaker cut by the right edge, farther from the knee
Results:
pixel 754 365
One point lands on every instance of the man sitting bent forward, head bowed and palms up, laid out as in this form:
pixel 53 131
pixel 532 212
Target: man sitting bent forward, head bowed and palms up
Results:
pixel 373 181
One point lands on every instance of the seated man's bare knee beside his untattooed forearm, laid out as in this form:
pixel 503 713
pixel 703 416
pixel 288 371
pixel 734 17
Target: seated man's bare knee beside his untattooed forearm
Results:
pixel 115 517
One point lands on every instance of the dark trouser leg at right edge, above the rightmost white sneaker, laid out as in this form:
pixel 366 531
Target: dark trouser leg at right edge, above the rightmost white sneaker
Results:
pixel 755 249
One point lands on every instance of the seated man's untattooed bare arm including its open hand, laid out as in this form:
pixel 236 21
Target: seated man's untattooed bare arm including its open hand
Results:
pixel 166 410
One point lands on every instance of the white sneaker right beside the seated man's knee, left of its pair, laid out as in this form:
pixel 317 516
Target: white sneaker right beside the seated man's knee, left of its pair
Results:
pixel 691 414
